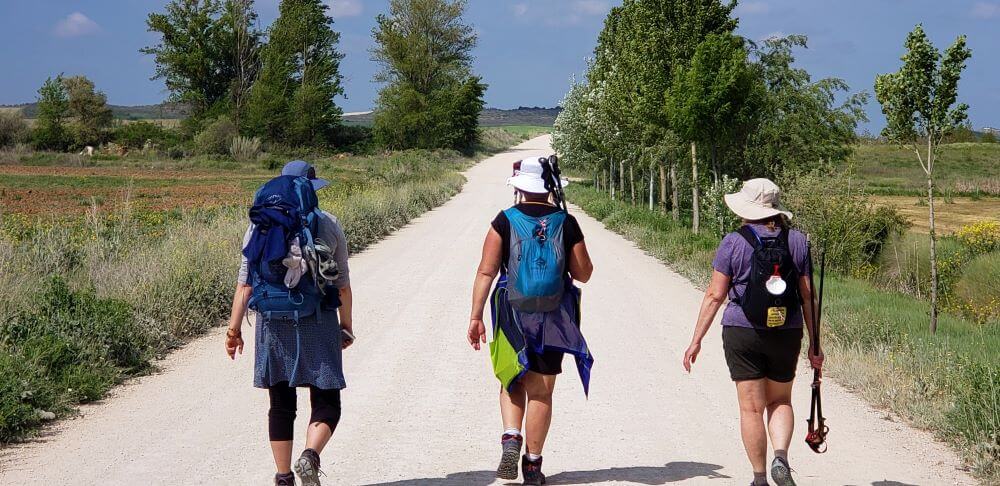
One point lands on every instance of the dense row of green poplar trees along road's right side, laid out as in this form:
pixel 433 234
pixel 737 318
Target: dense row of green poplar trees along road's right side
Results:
pixel 674 94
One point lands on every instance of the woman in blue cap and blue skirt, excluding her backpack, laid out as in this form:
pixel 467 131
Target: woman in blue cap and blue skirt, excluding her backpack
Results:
pixel 302 353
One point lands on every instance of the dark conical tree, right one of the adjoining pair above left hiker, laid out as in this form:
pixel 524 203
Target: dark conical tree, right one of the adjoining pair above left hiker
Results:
pixel 293 99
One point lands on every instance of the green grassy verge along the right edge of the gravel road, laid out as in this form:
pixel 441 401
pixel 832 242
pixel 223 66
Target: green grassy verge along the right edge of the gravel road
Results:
pixel 876 341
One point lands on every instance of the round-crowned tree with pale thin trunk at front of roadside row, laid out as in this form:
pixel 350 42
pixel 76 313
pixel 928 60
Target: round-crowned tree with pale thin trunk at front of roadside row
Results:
pixel 713 97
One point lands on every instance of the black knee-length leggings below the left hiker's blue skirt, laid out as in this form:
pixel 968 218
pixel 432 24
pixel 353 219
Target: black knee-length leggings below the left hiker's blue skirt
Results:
pixel 281 417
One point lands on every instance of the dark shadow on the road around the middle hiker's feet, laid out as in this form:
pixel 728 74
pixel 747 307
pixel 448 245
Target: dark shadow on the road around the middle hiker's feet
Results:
pixel 669 473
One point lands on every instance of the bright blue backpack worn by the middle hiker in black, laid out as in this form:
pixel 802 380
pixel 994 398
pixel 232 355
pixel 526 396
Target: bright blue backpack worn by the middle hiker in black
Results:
pixel 537 267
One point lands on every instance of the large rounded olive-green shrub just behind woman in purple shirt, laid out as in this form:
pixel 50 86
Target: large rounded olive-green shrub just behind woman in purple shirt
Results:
pixel 841 219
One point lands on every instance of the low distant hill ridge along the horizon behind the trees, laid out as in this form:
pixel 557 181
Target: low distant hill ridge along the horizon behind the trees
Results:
pixel 490 117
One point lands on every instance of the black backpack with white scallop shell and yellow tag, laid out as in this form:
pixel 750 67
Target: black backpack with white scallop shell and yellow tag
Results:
pixel 756 301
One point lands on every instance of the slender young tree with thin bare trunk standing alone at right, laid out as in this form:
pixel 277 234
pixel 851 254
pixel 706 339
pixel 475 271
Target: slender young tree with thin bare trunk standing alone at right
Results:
pixel 919 103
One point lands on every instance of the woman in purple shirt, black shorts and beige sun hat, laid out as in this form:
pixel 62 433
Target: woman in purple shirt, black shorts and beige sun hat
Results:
pixel 763 269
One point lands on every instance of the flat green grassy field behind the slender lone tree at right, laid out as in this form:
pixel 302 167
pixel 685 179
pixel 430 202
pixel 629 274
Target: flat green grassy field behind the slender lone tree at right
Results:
pixel 961 169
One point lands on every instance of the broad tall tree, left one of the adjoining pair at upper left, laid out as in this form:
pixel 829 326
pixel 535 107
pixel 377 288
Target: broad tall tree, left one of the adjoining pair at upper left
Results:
pixel 195 55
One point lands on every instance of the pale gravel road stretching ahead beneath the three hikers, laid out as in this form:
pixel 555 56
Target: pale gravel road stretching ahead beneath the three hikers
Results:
pixel 420 407
